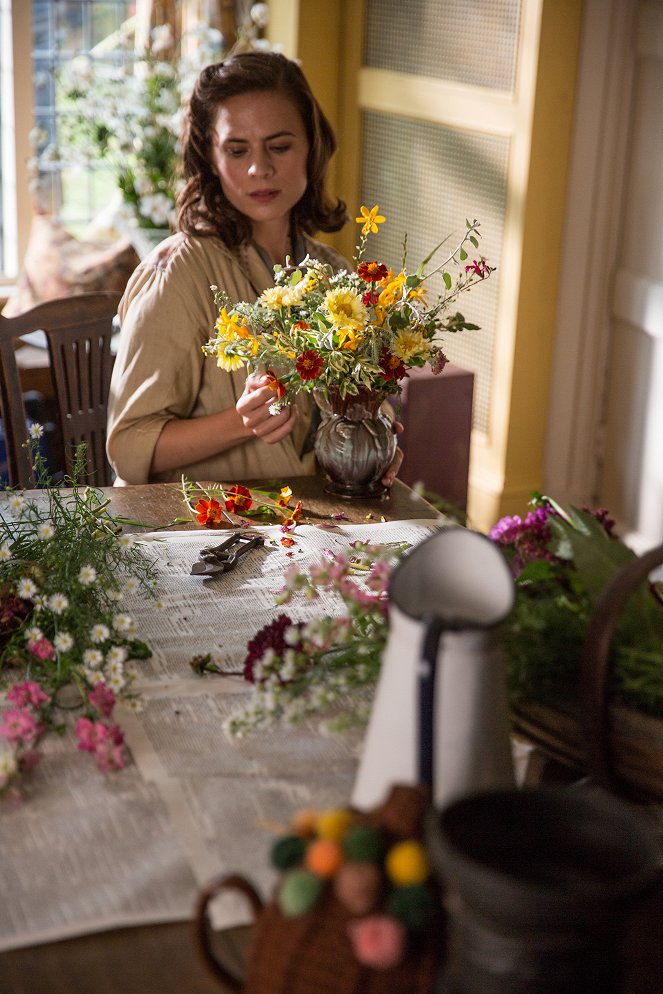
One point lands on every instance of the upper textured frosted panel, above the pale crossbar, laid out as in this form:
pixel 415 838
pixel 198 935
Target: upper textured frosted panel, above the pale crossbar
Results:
pixel 474 42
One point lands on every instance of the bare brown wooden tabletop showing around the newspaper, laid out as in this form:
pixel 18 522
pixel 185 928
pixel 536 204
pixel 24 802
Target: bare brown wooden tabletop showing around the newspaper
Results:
pixel 161 959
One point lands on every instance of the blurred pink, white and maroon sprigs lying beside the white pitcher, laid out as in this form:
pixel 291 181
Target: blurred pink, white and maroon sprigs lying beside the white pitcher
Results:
pixel 300 668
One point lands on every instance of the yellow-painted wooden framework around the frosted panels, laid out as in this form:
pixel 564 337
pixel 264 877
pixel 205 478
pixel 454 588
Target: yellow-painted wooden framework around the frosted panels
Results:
pixel 506 462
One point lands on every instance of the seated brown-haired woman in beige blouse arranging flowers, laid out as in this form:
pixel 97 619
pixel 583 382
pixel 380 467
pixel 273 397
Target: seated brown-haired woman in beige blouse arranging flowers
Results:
pixel 256 151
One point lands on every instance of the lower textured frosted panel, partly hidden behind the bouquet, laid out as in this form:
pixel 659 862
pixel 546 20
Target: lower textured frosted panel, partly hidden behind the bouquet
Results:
pixel 427 180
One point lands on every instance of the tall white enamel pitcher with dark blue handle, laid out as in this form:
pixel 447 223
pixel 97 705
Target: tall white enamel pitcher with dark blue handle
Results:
pixel 440 714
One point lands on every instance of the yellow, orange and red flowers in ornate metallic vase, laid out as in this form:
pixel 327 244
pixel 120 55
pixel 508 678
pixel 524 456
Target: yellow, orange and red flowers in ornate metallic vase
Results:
pixel 348 338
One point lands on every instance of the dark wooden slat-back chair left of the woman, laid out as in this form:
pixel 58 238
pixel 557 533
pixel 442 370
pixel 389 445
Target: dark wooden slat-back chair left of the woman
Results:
pixel 78 332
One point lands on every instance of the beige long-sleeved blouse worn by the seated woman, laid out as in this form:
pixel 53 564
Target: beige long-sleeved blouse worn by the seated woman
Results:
pixel 167 314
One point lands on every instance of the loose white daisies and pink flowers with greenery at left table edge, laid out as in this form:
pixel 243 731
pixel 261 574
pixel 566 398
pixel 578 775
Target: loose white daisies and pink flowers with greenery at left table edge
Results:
pixel 67 646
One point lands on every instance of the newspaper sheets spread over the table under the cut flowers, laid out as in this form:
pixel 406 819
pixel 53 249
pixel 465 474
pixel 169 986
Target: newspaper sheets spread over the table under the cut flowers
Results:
pixel 85 852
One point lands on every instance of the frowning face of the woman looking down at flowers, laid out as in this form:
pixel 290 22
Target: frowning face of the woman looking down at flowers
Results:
pixel 259 153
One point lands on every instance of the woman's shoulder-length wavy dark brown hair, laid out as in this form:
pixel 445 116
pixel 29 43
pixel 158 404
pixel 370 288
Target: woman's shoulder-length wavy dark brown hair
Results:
pixel 202 207
